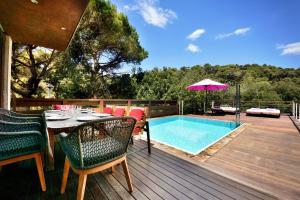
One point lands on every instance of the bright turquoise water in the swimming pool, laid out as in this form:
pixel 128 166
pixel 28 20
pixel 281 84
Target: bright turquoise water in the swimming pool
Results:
pixel 189 134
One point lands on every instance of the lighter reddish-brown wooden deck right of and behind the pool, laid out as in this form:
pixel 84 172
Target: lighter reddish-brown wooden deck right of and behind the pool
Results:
pixel 266 155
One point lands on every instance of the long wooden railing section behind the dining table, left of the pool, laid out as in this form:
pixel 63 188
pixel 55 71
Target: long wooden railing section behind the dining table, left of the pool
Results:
pixel 155 108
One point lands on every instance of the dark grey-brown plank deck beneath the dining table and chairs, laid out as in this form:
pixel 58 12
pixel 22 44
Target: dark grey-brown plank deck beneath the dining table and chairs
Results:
pixel 156 176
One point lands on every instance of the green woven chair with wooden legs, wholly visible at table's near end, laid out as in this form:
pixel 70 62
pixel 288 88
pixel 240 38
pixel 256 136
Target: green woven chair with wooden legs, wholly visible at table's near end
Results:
pixel 95 146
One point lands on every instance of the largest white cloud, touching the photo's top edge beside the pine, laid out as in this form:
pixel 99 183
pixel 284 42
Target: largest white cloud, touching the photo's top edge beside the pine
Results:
pixel 152 13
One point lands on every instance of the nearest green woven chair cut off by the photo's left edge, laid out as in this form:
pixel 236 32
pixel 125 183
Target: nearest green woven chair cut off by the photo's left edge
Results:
pixel 22 141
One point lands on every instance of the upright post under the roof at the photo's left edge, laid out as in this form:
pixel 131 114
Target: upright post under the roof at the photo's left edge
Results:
pixel 6 72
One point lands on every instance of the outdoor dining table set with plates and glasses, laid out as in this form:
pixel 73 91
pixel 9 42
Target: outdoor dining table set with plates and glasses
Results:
pixel 63 121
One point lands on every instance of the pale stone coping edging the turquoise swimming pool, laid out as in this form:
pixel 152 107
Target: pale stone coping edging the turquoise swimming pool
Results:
pixel 204 148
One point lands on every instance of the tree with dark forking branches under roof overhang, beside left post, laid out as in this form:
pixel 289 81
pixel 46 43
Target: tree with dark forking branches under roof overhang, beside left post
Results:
pixel 30 65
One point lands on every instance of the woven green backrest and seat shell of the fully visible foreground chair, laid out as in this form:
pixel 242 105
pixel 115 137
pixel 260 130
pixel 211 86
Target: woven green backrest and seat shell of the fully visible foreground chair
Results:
pixel 109 137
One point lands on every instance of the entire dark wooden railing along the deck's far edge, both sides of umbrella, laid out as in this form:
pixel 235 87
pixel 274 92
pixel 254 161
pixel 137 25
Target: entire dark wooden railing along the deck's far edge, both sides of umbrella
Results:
pixel 155 108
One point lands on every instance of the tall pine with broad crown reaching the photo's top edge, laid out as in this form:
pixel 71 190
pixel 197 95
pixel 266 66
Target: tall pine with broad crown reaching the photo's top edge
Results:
pixel 103 42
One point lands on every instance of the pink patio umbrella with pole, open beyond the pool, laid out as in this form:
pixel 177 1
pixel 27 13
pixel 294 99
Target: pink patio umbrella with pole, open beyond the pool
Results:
pixel 206 85
